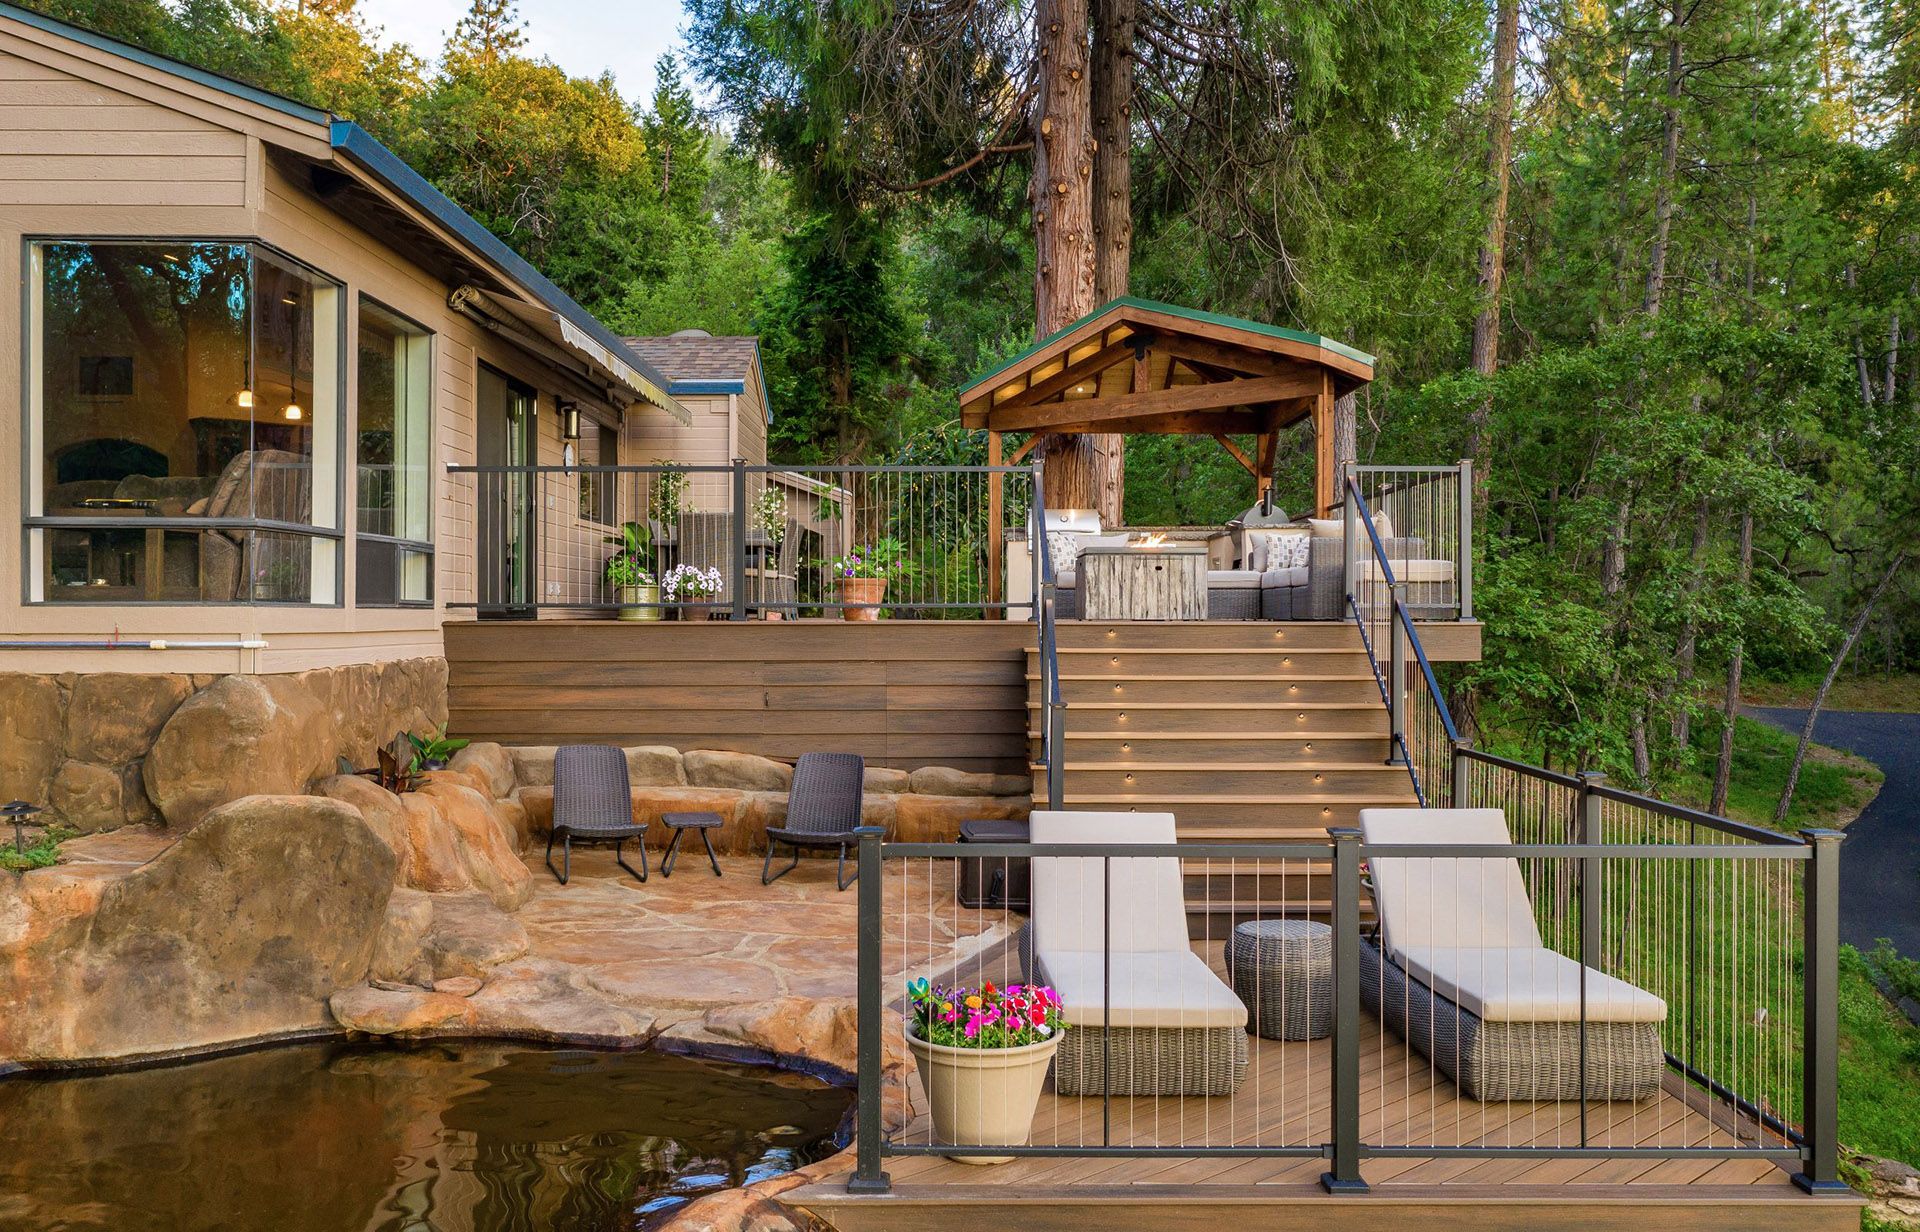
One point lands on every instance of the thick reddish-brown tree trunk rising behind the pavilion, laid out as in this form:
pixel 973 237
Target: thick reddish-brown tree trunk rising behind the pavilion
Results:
pixel 1078 475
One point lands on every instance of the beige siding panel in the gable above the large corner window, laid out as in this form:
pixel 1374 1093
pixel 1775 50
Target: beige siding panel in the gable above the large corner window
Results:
pixel 78 143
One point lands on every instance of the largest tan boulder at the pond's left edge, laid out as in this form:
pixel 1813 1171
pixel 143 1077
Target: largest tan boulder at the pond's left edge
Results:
pixel 241 930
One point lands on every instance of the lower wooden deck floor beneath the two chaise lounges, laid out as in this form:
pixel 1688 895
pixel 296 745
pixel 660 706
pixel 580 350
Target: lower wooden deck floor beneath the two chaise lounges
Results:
pixel 1285 1102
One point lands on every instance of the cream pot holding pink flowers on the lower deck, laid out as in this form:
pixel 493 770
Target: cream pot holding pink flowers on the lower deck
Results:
pixel 982 1097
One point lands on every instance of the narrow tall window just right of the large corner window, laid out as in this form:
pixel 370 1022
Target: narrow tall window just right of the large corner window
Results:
pixel 395 552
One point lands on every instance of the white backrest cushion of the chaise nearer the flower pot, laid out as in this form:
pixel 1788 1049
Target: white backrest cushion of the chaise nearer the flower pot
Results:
pixel 1149 901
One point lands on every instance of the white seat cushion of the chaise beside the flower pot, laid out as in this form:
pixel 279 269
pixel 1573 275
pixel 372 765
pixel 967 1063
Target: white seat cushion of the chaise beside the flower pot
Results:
pixel 1166 989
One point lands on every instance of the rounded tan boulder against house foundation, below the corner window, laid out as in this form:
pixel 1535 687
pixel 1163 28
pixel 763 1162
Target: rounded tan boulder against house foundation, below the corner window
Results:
pixel 241 736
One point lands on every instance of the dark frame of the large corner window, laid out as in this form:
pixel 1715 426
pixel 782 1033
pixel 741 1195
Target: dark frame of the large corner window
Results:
pixel 36 527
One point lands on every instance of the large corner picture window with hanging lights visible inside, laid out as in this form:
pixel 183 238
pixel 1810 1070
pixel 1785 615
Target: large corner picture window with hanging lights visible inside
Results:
pixel 183 425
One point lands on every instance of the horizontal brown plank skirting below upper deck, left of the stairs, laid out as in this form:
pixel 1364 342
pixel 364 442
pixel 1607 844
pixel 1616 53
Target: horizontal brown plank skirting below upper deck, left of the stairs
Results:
pixel 900 694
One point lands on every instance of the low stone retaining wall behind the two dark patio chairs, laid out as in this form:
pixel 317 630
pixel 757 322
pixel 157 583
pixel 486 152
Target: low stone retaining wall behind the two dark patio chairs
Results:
pixel 750 794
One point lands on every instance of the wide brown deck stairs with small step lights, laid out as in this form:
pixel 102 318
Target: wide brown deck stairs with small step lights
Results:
pixel 1247 732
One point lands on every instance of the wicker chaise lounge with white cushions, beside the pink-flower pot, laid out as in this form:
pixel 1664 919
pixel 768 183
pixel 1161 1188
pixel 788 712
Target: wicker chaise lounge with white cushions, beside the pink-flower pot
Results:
pixel 1176 1028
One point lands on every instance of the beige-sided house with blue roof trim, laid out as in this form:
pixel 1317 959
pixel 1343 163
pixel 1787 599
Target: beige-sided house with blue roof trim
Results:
pixel 252 341
